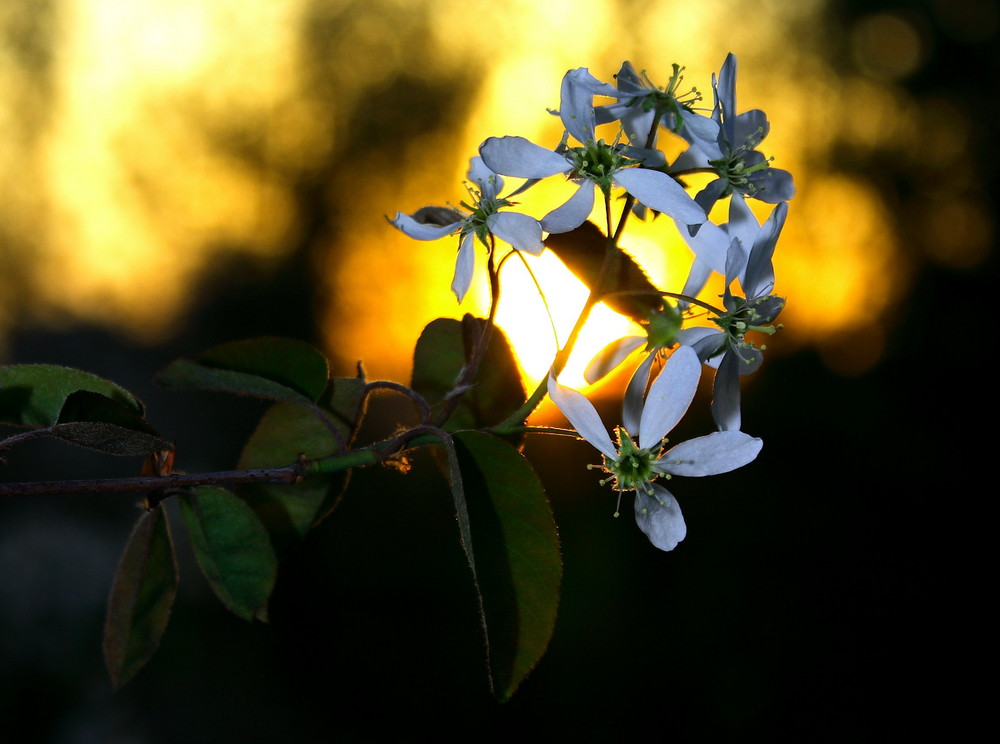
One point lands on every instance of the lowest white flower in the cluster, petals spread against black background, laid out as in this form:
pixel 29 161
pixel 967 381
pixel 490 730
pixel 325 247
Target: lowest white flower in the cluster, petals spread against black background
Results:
pixel 635 467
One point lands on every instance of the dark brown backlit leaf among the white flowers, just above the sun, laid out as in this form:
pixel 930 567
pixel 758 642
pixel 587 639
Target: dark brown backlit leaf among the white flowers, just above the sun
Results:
pixel 583 251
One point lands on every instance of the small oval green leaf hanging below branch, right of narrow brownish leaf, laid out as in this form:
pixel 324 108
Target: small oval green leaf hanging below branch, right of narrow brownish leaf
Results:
pixel 232 548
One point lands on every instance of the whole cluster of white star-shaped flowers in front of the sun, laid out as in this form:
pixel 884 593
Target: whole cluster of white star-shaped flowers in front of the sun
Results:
pixel 681 332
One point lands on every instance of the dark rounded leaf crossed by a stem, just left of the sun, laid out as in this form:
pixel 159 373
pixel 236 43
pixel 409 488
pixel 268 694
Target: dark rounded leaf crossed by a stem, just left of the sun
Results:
pixel 442 351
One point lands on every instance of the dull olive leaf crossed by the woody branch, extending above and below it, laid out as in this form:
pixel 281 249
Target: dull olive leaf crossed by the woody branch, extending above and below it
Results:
pixel 285 431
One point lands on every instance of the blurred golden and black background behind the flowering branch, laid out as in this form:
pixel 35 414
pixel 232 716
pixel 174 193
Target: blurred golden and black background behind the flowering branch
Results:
pixel 179 174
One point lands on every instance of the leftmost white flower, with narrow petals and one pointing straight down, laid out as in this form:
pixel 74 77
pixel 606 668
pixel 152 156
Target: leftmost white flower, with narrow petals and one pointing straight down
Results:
pixel 485 218
